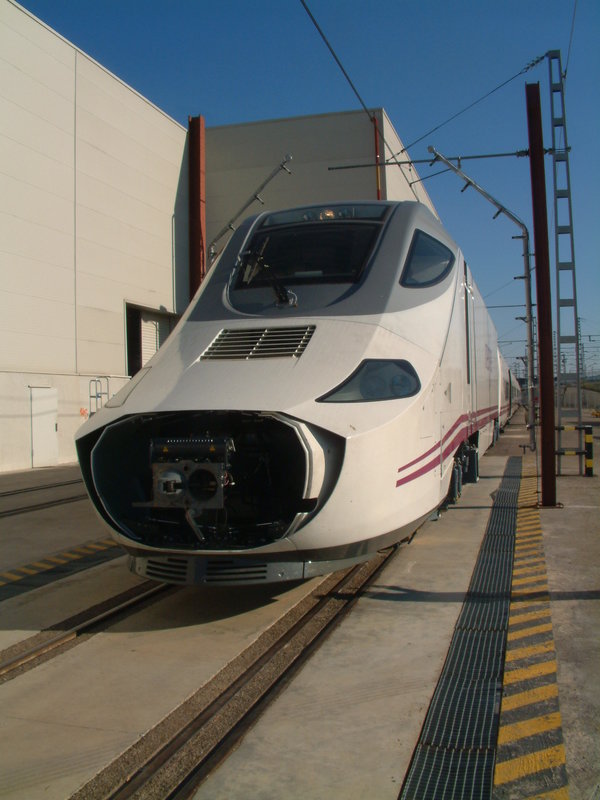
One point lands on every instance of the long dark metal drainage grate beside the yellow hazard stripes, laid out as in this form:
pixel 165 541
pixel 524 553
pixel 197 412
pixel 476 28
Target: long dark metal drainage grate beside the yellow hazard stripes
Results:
pixel 455 754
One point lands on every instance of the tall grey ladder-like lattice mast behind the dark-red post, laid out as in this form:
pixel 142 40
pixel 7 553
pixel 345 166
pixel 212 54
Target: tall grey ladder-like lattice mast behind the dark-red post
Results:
pixel 567 323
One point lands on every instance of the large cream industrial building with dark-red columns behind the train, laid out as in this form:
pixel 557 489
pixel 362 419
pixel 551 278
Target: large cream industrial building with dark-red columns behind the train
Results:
pixel 111 212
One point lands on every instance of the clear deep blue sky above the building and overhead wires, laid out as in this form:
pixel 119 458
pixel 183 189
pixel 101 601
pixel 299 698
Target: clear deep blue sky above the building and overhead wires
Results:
pixel 422 60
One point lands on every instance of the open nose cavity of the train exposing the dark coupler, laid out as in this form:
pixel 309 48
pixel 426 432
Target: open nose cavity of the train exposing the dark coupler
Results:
pixel 212 481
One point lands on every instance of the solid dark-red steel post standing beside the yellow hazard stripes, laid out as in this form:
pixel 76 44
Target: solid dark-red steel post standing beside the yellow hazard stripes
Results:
pixel 542 280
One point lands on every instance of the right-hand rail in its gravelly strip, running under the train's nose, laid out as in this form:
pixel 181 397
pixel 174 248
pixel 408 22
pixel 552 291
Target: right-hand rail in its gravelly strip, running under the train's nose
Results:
pixel 172 759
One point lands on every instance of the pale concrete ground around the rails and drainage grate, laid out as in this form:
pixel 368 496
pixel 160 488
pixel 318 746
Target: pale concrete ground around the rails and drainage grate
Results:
pixel 347 725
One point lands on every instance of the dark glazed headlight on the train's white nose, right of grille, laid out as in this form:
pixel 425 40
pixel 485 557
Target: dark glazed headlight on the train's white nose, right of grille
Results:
pixel 376 380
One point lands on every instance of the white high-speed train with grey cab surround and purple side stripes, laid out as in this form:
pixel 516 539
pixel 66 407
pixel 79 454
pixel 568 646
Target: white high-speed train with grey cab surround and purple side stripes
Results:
pixel 332 382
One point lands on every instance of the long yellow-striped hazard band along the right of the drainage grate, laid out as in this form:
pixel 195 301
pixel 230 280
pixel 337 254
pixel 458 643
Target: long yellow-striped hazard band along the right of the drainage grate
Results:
pixel 530 754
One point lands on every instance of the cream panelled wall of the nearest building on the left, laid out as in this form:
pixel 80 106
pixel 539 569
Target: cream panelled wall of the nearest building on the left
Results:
pixel 91 177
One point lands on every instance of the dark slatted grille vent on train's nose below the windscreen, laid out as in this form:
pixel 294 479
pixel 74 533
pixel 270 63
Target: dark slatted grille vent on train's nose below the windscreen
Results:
pixel 246 343
